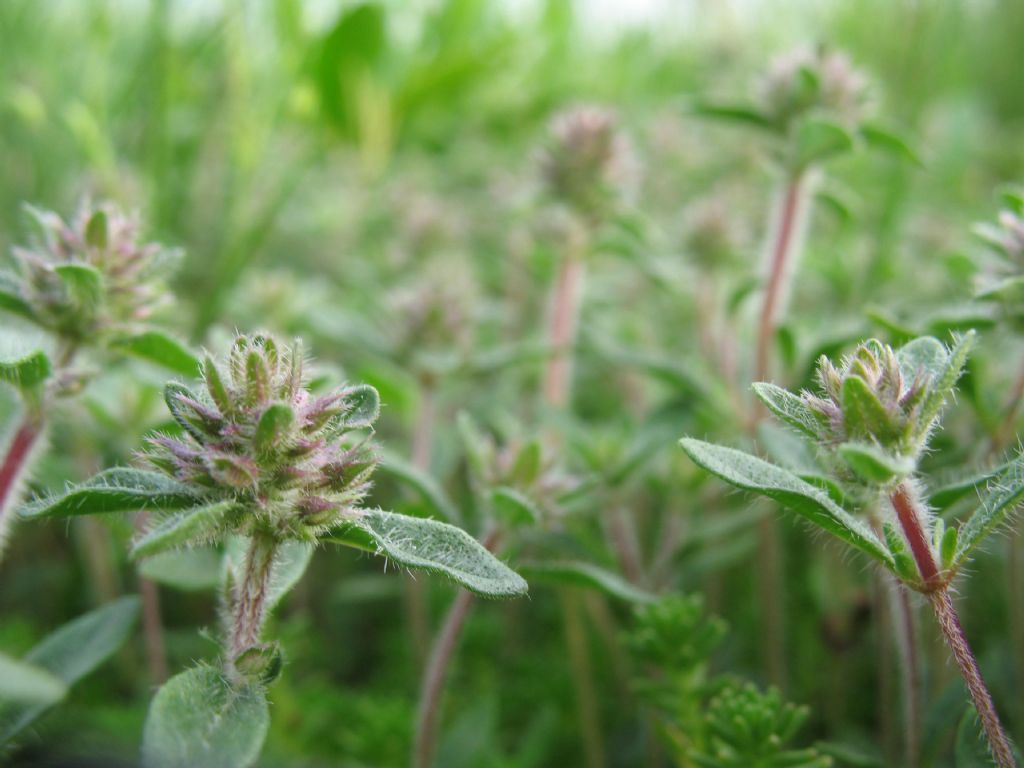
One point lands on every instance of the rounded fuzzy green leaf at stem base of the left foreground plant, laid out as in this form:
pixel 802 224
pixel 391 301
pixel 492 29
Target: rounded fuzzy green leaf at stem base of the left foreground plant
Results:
pixel 200 719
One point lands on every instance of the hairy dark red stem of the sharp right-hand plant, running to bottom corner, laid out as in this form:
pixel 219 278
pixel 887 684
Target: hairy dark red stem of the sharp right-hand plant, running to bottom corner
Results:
pixel 910 518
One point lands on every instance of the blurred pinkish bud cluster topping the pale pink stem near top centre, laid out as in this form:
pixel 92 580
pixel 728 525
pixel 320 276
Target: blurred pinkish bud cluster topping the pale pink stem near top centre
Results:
pixel 586 164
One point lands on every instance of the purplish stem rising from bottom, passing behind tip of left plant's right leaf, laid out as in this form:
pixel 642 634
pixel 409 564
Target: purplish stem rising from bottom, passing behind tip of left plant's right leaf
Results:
pixel 437 670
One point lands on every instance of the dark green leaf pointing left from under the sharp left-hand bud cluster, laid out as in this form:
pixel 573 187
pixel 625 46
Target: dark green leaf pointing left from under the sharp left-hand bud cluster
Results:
pixel 119 490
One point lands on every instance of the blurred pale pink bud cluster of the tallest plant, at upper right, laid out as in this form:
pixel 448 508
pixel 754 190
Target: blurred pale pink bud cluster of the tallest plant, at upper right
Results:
pixel 813 80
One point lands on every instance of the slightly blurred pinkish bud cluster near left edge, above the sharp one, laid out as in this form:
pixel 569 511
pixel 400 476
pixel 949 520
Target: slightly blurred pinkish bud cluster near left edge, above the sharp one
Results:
pixel 91 276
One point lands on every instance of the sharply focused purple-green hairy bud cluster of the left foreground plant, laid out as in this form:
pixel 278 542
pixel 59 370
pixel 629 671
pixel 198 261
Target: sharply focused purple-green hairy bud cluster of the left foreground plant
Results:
pixel 259 436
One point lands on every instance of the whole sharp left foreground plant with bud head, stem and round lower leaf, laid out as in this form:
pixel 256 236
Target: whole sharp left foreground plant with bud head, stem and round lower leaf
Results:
pixel 269 470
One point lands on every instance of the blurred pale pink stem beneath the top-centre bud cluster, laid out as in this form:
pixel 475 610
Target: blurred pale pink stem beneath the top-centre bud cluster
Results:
pixel 563 330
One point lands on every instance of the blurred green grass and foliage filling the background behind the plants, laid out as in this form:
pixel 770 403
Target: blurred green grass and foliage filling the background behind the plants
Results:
pixel 335 170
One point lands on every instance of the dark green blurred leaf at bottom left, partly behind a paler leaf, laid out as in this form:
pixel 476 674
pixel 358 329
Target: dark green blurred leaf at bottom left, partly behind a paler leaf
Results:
pixel 71 654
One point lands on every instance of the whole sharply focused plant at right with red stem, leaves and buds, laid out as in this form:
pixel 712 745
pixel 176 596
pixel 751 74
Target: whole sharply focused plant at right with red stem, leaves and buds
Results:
pixel 870 424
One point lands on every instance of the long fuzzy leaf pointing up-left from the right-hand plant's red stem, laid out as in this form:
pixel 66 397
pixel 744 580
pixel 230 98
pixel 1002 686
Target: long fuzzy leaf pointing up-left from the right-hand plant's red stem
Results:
pixel 751 474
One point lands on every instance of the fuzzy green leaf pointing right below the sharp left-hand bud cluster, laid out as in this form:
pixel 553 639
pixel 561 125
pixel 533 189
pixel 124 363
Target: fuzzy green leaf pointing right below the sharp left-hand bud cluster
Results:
pixel 432 546
